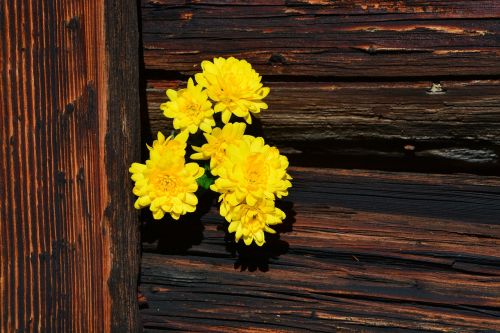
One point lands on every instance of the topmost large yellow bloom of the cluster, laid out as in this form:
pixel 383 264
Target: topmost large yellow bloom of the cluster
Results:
pixel 235 87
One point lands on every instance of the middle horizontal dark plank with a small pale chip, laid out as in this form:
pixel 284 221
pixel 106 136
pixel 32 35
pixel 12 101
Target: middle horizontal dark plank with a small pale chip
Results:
pixel 400 125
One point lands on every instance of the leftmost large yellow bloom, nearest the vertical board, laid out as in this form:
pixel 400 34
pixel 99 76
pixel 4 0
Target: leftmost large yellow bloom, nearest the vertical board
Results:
pixel 166 185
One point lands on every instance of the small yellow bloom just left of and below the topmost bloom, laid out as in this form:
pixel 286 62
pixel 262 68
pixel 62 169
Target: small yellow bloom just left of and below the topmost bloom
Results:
pixel 190 109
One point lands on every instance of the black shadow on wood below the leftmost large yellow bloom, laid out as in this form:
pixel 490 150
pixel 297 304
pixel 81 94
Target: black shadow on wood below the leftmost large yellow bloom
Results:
pixel 176 237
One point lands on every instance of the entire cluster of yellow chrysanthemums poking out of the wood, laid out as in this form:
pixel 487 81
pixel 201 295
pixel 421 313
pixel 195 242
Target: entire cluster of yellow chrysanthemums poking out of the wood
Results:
pixel 247 173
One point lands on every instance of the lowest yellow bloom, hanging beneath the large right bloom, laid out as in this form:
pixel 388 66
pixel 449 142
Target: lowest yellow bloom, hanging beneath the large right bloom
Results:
pixel 250 222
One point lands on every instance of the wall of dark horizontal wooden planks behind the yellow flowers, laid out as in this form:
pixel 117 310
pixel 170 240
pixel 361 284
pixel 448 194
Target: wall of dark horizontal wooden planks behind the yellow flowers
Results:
pixel 401 86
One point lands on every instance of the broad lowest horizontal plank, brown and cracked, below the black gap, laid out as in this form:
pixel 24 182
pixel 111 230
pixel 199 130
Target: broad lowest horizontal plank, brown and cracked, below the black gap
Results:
pixel 361 251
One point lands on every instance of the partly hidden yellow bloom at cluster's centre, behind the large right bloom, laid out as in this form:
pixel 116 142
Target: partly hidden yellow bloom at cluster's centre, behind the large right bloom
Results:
pixel 217 142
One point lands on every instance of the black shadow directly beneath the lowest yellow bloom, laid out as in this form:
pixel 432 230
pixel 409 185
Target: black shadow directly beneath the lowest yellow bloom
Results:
pixel 253 257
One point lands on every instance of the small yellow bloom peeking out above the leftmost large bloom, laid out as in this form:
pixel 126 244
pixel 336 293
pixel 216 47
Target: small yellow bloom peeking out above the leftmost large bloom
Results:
pixel 175 147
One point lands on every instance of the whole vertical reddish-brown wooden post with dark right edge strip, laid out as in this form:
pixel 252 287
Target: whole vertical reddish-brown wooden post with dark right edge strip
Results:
pixel 69 128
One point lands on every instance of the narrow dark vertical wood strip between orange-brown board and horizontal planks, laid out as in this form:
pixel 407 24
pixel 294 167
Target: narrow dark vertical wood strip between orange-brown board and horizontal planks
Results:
pixel 122 148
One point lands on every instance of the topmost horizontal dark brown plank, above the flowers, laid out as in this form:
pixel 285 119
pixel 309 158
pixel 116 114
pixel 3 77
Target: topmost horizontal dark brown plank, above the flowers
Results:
pixel 323 38
